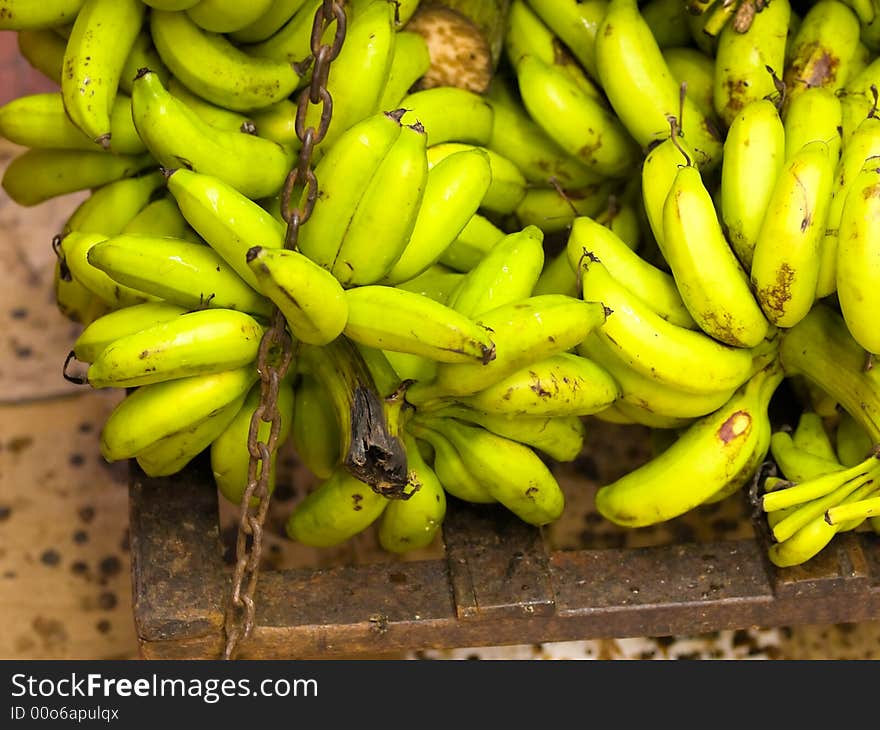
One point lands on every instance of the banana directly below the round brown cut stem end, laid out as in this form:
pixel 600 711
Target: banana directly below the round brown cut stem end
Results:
pixel 449 114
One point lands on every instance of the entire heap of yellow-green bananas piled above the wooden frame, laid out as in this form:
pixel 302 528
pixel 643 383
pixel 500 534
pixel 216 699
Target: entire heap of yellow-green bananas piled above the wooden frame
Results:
pixel 709 170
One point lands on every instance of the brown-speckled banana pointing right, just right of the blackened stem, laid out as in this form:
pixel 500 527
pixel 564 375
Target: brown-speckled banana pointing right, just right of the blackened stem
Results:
pixel 566 384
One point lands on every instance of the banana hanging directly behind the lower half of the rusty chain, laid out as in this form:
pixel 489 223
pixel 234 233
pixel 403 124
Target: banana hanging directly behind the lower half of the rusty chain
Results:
pixel 230 453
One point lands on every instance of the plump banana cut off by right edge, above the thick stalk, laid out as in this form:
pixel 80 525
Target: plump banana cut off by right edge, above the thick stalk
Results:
pixel 858 273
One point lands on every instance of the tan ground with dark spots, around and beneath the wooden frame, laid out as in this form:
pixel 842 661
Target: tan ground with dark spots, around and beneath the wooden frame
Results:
pixel 64 561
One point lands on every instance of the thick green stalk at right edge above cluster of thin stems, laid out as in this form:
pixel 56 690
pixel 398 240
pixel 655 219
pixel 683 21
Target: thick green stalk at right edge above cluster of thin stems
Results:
pixel 821 349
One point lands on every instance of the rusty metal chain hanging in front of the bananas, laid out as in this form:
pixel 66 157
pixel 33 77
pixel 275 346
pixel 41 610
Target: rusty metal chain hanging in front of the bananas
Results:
pixel 276 347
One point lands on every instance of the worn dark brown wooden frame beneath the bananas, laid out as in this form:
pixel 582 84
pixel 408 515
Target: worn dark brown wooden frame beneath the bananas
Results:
pixel 498 582
